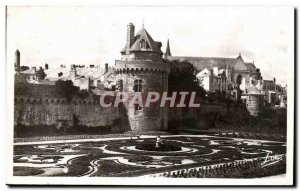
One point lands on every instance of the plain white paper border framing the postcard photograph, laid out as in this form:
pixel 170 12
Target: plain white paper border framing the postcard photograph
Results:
pixel 286 179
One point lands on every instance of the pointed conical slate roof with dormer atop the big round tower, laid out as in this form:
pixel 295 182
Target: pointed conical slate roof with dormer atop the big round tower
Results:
pixel 151 44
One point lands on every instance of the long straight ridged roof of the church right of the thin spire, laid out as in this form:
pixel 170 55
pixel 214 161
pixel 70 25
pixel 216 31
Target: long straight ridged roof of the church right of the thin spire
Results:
pixel 207 62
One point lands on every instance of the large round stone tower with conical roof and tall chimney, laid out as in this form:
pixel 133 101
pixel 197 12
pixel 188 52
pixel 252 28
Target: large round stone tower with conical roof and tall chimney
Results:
pixel 142 69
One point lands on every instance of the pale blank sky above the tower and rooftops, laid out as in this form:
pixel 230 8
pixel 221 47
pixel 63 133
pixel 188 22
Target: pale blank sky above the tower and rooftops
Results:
pixel 95 35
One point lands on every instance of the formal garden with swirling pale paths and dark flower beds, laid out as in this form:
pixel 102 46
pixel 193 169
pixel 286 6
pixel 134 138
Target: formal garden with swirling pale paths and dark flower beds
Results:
pixel 147 155
